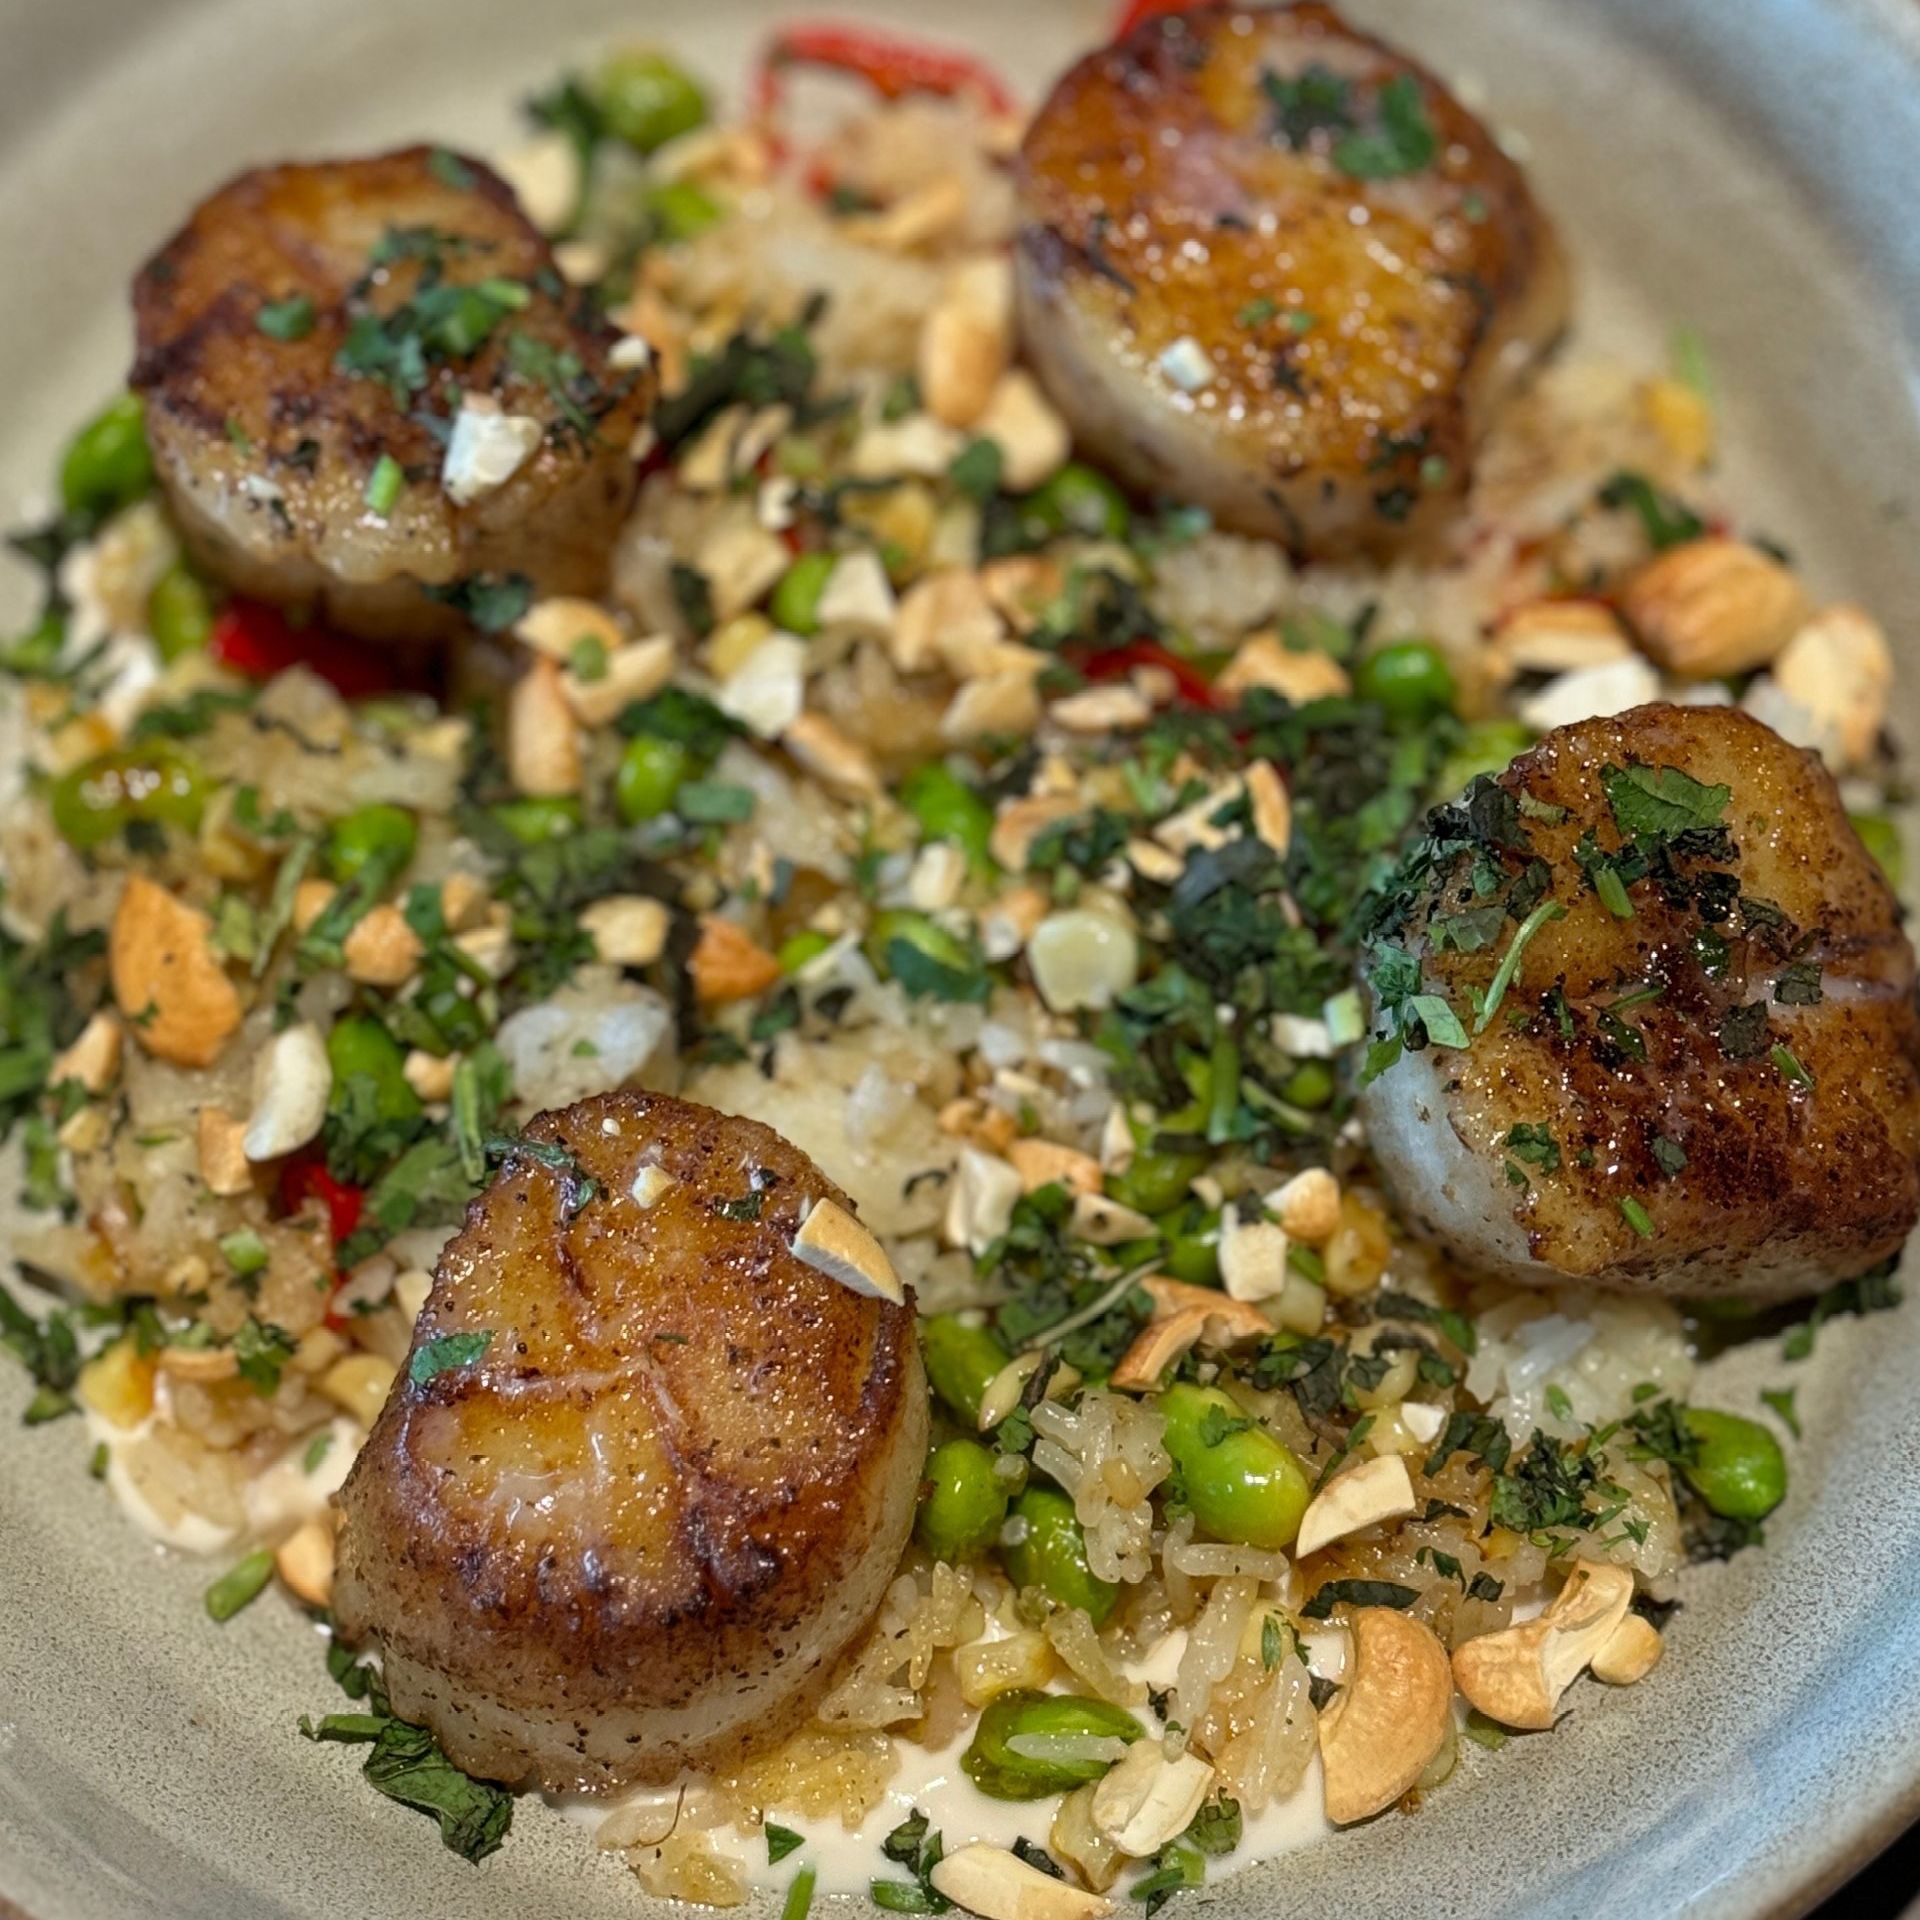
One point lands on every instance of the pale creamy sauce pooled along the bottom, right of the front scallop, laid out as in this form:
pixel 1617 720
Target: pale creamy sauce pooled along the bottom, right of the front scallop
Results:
pixel 932 1783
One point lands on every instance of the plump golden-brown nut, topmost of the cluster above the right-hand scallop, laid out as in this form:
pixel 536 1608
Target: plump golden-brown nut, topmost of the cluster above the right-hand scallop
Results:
pixel 1714 608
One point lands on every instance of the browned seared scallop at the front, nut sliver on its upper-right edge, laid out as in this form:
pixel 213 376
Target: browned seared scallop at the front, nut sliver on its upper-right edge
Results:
pixel 648 1472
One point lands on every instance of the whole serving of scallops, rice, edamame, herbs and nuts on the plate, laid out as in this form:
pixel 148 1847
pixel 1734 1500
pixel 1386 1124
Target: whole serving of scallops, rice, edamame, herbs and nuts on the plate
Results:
pixel 1001 1191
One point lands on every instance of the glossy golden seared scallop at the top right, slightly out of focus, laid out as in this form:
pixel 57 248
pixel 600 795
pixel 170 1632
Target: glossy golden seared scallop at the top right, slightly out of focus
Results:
pixel 1272 268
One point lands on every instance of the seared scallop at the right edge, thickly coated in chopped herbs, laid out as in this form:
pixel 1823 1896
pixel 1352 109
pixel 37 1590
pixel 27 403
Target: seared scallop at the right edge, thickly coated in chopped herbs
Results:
pixel 1654 1019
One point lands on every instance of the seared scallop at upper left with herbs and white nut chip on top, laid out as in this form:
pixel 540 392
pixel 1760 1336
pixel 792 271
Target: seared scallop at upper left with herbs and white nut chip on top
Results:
pixel 368 387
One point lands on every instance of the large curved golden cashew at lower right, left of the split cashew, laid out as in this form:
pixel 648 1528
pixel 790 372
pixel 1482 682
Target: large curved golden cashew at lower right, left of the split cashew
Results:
pixel 1395 1714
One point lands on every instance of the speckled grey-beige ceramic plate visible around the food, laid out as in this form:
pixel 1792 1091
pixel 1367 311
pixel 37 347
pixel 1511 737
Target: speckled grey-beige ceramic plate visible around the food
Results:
pixel 1754 183
